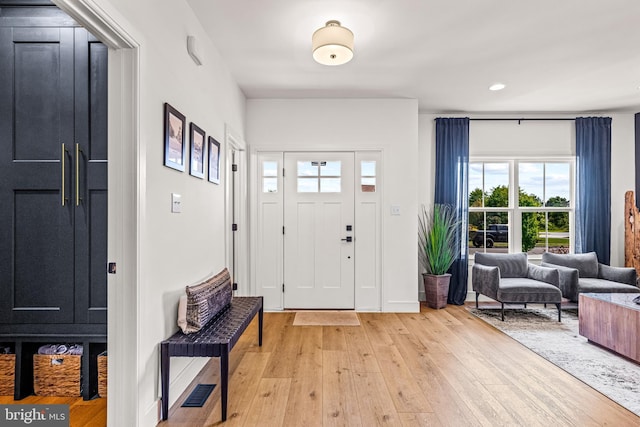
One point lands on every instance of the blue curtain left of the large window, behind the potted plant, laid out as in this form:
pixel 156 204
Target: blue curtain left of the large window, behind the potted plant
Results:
pixel 452 187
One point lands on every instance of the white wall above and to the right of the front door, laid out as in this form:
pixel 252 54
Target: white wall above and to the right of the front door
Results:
pixel 390 125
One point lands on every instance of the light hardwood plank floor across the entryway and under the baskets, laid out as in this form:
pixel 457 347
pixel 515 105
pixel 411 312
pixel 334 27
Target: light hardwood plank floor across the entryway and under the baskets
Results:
pixel 437 367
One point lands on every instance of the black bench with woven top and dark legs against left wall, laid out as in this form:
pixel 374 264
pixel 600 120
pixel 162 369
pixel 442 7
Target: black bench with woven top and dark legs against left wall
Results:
pixel 215 339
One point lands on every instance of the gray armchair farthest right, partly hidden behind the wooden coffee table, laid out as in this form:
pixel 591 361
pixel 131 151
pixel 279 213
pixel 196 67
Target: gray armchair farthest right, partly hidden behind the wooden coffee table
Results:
pixel 583 273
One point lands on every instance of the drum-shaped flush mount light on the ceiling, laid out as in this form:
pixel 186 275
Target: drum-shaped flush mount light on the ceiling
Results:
pixel 332 44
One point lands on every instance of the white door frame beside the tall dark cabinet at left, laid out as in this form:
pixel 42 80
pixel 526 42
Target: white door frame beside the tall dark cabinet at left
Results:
pixel 126 211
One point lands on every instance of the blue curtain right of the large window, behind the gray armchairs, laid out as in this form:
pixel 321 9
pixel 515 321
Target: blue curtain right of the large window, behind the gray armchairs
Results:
pixel 593 186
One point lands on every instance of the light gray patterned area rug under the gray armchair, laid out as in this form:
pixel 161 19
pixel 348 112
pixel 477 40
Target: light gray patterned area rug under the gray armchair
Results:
pixel 560 343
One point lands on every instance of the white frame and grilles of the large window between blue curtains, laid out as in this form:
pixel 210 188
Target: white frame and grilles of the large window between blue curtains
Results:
pixel 515 211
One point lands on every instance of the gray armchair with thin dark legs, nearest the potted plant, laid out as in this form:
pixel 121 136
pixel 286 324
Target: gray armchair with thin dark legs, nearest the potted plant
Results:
pixel 510 278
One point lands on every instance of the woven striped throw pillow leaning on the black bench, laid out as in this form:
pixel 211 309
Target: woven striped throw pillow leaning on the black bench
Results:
pixel 204 301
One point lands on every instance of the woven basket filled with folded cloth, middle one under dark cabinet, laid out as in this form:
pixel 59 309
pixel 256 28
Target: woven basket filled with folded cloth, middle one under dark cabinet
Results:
pixel 56 375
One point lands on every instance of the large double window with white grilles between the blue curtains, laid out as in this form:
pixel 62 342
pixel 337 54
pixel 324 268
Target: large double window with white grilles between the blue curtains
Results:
pixel 535 219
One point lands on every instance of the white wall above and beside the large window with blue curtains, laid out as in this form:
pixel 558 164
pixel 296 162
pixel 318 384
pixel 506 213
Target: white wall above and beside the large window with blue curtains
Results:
pixel 541 138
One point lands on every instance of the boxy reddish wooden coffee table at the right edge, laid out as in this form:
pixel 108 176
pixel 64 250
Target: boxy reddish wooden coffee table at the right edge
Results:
pixel 612 321
